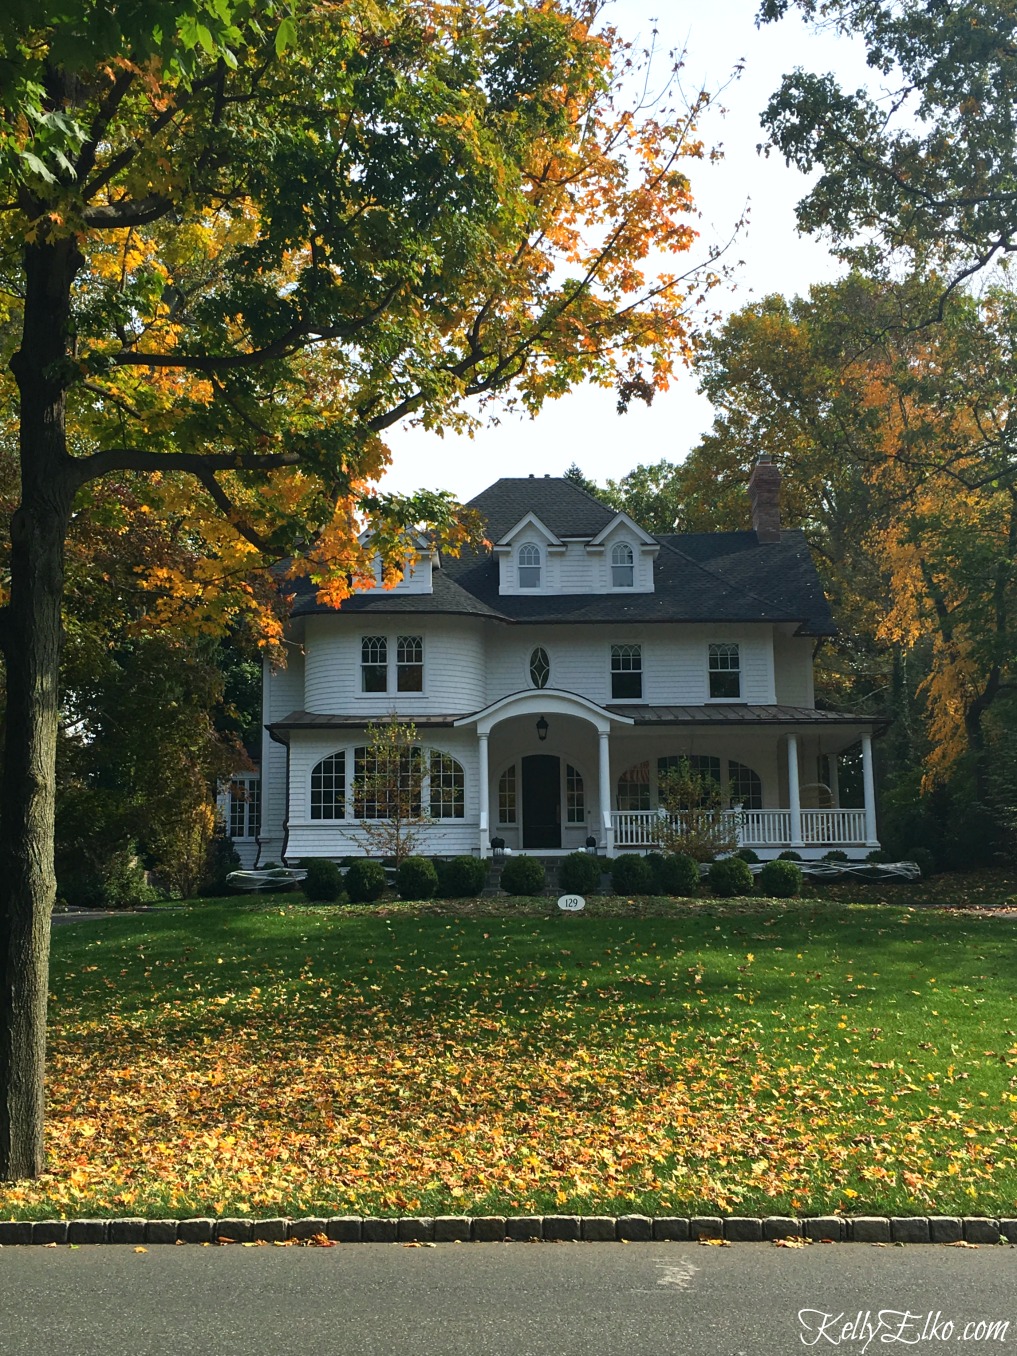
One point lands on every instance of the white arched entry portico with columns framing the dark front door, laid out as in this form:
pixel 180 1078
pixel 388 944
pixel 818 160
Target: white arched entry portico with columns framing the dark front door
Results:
pixel 544 771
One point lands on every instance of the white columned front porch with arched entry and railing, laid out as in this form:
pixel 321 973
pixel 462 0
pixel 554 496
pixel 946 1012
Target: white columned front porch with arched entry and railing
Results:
pixel 558 772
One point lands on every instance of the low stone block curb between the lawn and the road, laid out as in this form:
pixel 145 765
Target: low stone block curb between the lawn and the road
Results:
pixel 478 1229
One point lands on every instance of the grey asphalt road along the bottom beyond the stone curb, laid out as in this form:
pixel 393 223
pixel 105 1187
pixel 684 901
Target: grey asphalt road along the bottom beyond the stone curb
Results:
pixel 505 1300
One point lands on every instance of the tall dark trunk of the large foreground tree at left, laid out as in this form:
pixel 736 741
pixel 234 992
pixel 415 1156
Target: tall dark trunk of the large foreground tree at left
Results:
pixel 32 630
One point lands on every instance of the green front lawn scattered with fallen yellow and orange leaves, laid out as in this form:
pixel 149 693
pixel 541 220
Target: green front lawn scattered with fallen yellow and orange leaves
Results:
pixel 498 1057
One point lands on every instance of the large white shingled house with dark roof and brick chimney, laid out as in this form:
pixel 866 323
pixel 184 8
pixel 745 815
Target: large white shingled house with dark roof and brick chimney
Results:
pixel 553 677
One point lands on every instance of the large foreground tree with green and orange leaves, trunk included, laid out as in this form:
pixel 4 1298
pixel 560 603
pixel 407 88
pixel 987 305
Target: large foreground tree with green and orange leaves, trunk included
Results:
pixel 243 241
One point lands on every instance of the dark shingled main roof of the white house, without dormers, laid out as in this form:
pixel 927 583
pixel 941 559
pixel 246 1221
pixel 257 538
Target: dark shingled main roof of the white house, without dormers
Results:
pixel 723 577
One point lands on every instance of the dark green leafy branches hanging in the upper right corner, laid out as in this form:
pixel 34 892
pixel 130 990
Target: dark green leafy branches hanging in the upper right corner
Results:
pixel 927 167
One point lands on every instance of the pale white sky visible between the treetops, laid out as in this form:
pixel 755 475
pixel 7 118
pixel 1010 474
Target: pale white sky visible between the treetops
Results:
pixel 772 257
